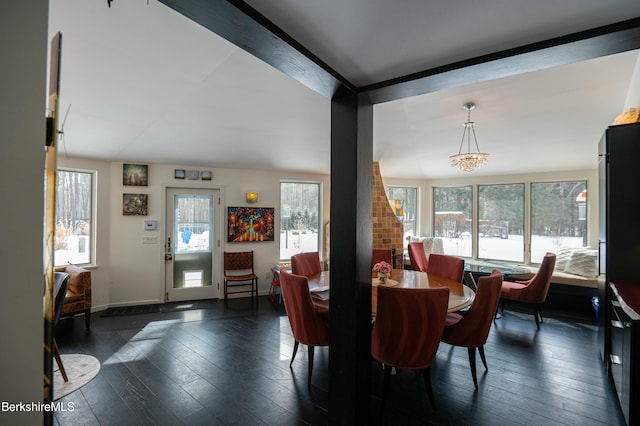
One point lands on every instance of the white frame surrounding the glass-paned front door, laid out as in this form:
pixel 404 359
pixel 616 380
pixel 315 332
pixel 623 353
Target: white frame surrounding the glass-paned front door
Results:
pixel 219 222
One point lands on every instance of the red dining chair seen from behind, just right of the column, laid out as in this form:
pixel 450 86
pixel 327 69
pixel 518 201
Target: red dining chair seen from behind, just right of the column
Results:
pixel 407 330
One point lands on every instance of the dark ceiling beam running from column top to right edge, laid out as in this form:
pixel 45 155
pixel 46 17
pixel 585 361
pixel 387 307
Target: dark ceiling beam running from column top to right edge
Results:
pixel 602 41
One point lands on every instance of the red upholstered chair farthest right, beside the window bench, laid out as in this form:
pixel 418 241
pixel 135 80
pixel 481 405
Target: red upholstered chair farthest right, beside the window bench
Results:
pixel 533 291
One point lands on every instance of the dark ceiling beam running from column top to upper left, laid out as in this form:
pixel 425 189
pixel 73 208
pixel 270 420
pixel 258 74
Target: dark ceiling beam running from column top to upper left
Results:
pixel 243 26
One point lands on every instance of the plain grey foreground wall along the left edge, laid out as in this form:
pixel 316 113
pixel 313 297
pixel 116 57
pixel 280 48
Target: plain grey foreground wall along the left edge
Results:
pixel 23 49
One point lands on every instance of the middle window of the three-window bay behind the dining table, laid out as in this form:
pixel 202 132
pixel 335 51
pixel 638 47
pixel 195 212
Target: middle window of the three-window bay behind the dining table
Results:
pixel 501 222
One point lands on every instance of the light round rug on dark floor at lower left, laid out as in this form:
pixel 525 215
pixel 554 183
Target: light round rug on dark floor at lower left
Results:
pixel 80 368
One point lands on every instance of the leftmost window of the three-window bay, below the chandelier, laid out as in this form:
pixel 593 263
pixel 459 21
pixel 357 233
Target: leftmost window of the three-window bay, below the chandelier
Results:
pixel 453 219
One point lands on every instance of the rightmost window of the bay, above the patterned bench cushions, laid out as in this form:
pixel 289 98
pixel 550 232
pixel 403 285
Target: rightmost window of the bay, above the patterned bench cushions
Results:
pixel 558 217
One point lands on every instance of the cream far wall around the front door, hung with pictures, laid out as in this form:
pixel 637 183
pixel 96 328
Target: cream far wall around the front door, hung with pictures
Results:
pixel 128 272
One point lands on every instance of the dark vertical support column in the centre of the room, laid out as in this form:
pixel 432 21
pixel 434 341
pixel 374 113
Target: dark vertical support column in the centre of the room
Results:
pixel 350 252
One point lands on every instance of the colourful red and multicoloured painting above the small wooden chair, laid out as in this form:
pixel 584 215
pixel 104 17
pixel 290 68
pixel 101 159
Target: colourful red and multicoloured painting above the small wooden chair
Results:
pixel 246 224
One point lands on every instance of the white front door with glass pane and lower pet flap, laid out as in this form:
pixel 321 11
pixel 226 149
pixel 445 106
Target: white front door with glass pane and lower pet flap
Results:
pixel 192 253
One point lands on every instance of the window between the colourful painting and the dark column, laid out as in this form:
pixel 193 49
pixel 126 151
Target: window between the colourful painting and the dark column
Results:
pixel 299 218
